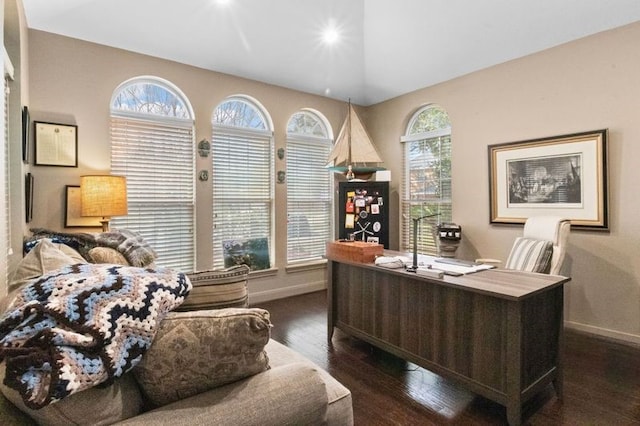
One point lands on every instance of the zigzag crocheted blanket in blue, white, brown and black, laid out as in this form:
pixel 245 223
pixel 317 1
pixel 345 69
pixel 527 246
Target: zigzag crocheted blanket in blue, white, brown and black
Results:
pixel 83 325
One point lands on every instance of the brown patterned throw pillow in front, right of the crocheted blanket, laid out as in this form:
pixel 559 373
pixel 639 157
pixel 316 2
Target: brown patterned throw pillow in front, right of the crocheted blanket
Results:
pixel 196 351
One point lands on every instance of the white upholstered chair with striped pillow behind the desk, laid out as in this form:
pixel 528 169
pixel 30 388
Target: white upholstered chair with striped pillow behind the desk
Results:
pixel 542 246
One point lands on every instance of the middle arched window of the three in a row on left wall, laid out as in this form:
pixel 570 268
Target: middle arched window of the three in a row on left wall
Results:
pixel 242 161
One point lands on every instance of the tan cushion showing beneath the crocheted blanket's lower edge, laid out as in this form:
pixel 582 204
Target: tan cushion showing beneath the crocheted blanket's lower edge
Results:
pixel 94 406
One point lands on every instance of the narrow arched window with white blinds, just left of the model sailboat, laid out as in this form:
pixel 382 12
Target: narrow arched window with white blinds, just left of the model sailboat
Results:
pixel 308 187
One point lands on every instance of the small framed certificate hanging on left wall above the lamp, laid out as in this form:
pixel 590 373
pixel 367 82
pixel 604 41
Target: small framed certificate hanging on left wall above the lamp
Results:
pixel 56 144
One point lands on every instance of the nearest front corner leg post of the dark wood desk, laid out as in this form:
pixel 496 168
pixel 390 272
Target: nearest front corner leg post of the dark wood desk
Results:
pixel 514 364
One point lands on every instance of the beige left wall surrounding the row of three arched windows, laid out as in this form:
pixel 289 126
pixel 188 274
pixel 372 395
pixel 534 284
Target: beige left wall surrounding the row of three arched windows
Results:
pixel 72 81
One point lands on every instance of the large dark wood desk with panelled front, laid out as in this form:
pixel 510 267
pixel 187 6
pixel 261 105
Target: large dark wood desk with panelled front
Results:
pixel 497 332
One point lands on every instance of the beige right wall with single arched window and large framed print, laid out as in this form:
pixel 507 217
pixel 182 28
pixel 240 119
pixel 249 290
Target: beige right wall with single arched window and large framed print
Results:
pixel 585 85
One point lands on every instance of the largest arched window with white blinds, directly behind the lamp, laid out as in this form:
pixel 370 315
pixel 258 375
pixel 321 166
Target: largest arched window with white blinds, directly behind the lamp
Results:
pixel 152 144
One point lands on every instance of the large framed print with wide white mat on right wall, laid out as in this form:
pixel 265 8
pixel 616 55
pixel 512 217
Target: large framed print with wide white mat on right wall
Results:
pixel 561 176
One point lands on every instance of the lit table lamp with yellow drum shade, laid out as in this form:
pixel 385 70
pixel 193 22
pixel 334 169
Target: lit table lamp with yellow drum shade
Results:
pixel 104 196
